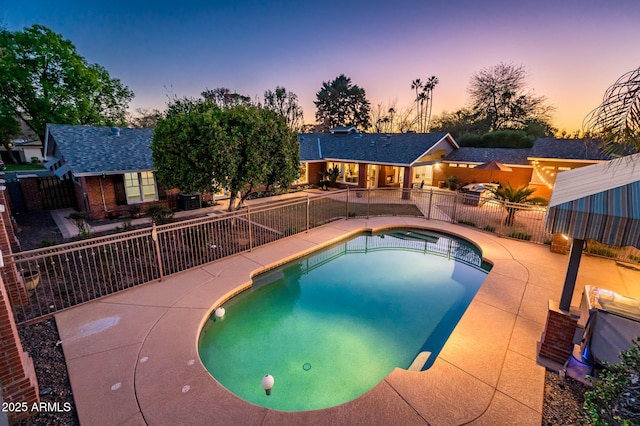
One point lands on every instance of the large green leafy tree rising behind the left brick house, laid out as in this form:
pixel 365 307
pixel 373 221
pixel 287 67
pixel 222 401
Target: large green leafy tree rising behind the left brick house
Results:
pixel 44 80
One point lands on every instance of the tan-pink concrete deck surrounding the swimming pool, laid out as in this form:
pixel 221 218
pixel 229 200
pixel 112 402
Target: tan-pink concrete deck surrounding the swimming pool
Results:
pixel 132 357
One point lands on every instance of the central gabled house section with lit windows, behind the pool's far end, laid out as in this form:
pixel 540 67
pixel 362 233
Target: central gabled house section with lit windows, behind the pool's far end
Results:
pixel 373 160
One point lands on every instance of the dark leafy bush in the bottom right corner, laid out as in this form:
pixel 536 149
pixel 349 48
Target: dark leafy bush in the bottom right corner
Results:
pixel 615 398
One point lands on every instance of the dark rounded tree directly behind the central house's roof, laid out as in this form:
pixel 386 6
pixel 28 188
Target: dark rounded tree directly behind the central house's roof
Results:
pixel 341 103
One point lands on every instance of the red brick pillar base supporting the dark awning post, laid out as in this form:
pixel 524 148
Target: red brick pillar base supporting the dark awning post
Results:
pixel 557 338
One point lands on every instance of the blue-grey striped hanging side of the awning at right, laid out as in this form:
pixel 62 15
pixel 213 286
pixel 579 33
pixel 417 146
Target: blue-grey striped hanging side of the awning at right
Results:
pixel 610 217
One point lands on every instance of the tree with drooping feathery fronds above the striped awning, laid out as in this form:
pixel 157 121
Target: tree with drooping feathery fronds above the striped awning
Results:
pixel 617 119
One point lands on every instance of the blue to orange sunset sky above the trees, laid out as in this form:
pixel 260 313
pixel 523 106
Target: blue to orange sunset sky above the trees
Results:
pixel 573 50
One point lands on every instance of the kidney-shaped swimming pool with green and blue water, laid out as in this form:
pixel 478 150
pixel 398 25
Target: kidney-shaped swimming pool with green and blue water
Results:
pixel 330 326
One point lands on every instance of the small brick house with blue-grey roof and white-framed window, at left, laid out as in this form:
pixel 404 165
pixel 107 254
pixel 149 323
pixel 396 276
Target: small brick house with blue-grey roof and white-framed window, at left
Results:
pixel 111 168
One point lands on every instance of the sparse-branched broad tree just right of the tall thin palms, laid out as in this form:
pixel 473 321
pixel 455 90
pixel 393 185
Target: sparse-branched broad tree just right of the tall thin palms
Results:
pixel 500 95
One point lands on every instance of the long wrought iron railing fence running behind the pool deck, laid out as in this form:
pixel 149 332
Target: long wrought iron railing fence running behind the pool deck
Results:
pixel 58 277
